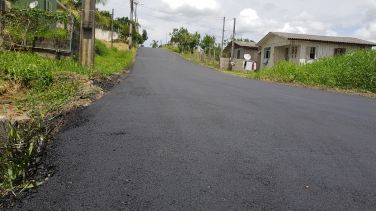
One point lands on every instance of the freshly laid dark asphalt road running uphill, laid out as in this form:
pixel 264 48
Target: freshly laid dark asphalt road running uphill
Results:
pixel 178 136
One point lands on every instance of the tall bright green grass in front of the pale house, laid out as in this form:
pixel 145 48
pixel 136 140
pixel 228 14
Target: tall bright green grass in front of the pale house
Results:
pixel 355 70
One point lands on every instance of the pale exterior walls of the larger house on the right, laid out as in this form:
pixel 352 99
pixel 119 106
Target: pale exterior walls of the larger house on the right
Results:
pixel 278 46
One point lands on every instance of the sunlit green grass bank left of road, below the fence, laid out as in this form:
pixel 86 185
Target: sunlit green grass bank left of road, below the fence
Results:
pixel 48 83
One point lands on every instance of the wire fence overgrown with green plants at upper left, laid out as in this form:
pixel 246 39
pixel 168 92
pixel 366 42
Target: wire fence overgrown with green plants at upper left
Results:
pixel 25 29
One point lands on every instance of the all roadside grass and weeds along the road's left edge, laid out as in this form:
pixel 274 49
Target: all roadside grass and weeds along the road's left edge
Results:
pixel 38 86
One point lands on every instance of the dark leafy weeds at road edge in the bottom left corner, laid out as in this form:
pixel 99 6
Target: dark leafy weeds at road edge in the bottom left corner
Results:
pixel 24 145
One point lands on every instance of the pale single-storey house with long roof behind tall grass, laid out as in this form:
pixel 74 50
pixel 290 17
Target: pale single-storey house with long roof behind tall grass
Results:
pixel 303 48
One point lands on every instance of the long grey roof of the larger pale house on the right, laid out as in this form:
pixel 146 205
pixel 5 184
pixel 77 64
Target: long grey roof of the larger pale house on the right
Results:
pixel 317 38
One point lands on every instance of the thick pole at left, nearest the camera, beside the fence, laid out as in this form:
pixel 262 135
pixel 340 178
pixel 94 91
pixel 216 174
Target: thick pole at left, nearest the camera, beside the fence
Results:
pixel 87 40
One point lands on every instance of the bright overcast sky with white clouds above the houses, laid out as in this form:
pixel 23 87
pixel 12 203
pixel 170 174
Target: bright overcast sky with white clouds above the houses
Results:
pixel 254 18
